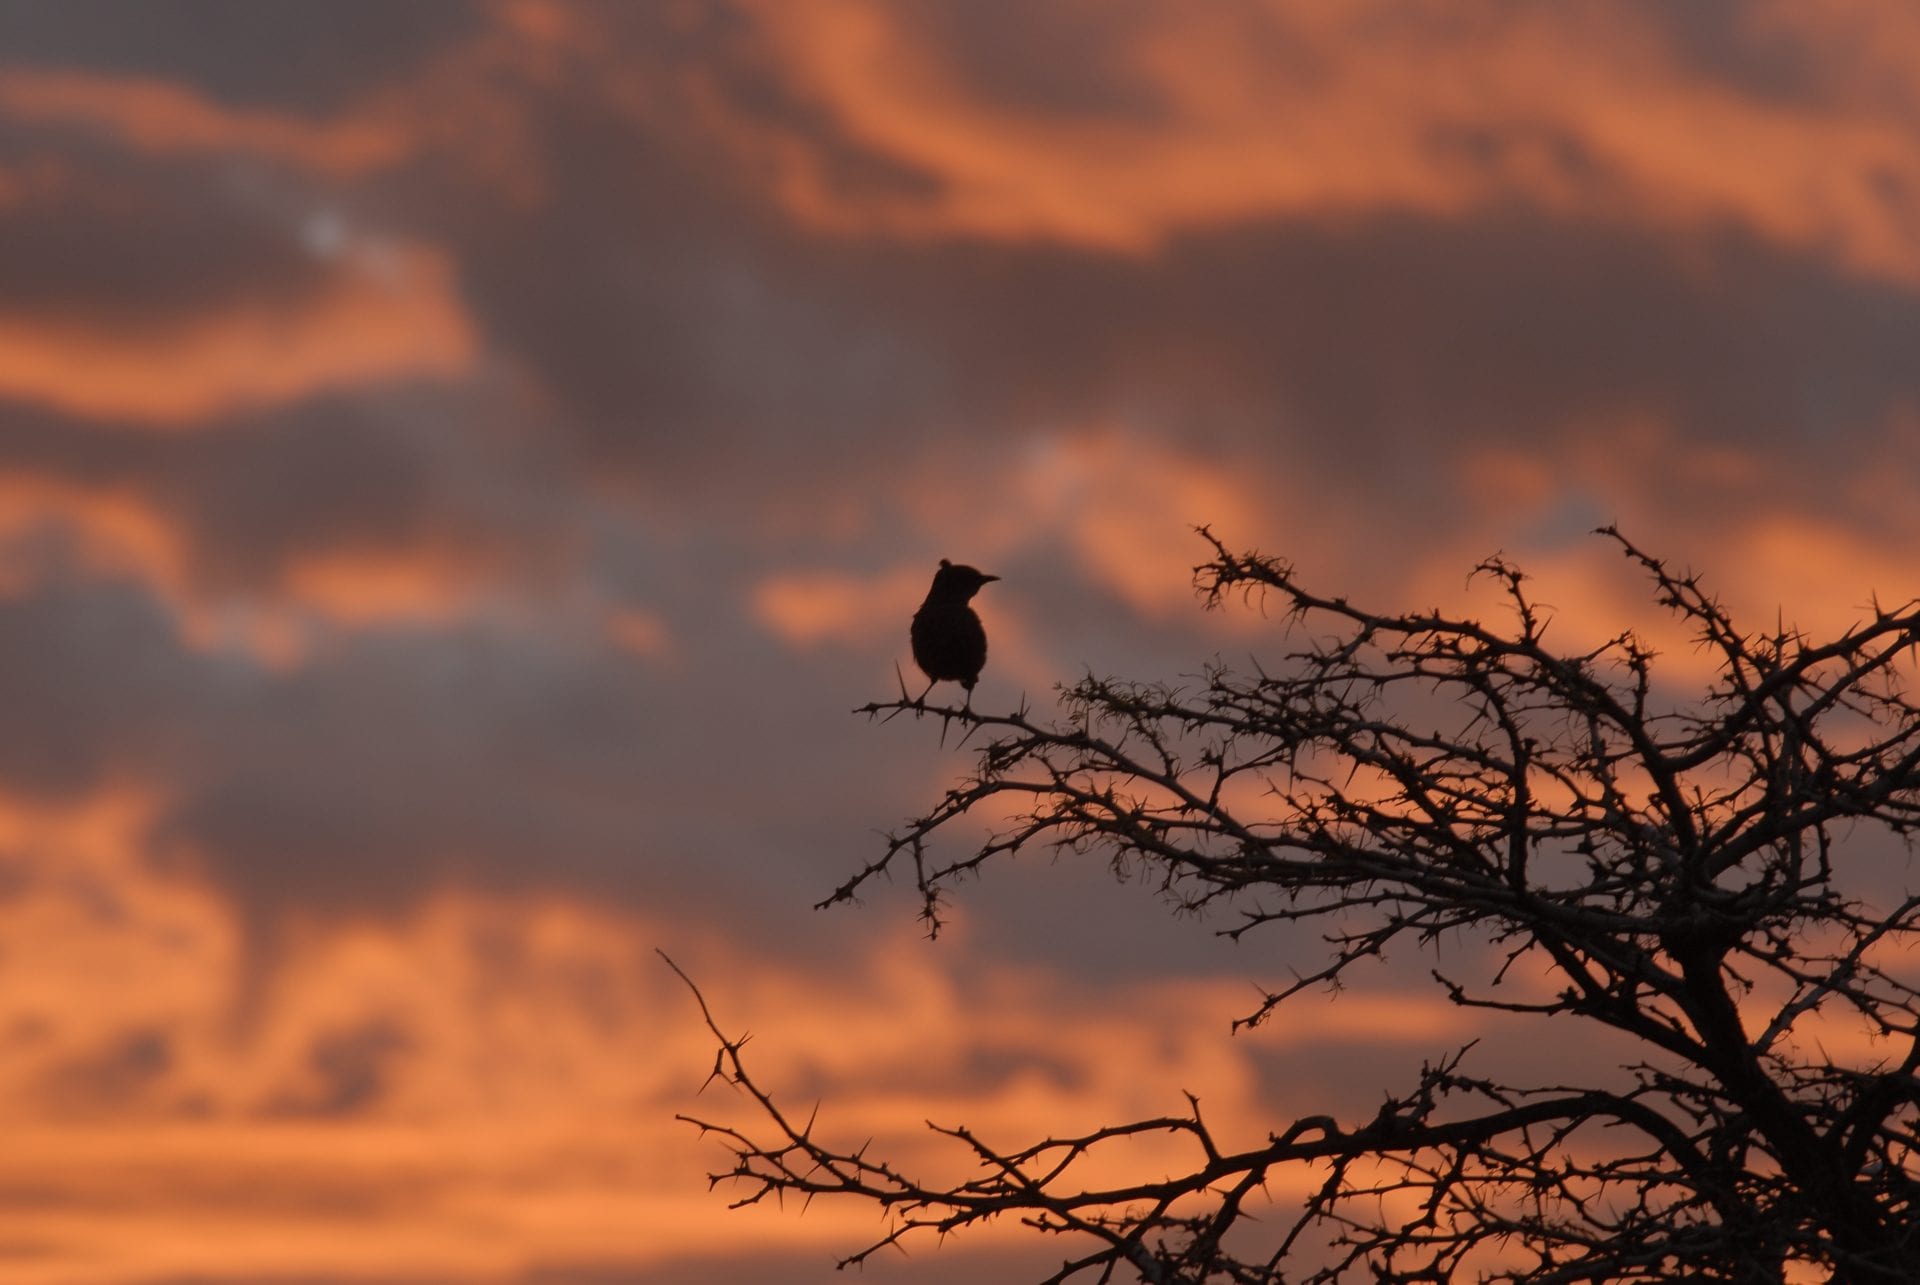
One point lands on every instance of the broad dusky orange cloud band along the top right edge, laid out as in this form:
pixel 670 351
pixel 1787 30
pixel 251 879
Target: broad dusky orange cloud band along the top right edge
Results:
pixel 1268 110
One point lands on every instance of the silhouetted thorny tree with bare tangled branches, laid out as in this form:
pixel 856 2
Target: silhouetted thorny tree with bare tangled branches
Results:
pixel 1673 867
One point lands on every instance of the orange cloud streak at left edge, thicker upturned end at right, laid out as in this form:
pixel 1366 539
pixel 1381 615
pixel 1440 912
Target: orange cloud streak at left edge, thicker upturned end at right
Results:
pixel 396 314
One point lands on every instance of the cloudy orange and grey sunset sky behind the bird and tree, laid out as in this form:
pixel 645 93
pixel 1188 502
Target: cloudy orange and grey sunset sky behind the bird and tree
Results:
pixel 464 464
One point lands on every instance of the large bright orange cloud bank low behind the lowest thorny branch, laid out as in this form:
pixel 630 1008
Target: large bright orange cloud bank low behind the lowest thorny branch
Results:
pixel 487 1086
